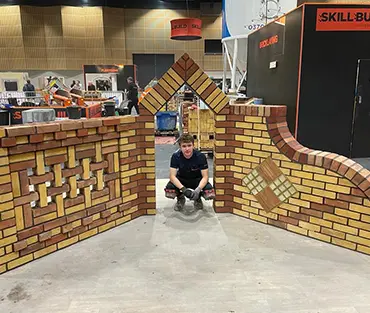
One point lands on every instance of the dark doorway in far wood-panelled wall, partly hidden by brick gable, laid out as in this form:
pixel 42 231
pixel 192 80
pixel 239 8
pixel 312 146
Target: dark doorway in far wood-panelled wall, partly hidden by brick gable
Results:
pixel 150 66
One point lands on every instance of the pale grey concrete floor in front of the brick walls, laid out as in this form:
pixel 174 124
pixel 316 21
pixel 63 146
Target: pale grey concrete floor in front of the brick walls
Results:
pixel 191 263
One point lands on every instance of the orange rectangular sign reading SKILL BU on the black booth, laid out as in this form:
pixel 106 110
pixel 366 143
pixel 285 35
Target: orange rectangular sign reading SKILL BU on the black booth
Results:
pixel 337 19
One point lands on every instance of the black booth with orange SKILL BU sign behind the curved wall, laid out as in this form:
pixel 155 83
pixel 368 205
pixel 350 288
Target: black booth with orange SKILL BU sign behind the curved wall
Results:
pixel 316 60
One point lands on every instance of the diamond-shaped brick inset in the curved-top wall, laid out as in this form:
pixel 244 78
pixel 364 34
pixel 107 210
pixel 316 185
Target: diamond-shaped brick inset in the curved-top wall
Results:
pixel 269 185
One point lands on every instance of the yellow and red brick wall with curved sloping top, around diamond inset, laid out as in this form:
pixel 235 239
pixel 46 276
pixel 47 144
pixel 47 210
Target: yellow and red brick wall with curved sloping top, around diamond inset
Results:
pixel 331 202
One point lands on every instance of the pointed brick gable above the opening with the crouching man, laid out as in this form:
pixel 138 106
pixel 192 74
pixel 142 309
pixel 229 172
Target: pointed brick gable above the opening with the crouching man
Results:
pixel 185 70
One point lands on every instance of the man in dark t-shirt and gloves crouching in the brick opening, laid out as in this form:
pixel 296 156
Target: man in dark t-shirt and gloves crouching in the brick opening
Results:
pixel 189 175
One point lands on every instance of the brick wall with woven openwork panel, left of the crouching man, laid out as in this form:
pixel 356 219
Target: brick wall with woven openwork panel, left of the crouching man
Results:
pixel 63 182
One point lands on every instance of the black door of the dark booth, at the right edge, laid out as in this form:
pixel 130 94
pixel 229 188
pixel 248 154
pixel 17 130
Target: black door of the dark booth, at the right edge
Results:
pixel 360 147
